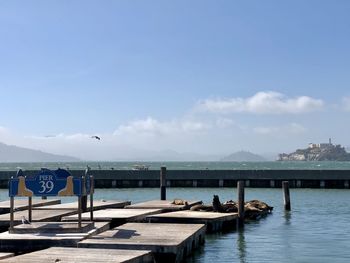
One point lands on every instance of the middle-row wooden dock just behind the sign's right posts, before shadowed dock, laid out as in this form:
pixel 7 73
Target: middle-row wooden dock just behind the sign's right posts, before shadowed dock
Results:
pixel 116 217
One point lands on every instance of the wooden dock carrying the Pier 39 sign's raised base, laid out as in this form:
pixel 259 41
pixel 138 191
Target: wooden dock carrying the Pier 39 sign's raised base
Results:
pixel 31 242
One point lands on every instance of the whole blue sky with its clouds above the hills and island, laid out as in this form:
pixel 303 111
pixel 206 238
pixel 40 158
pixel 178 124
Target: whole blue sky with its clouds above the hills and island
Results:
pixel 209 77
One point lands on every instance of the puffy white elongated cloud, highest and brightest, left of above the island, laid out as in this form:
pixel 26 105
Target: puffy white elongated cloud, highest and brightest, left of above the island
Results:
pixel 262 103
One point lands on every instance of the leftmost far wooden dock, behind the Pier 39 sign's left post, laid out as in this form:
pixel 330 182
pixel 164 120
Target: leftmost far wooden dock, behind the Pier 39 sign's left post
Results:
pixel 22 204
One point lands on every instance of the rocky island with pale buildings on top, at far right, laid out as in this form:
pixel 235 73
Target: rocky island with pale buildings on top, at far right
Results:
pixel 317 152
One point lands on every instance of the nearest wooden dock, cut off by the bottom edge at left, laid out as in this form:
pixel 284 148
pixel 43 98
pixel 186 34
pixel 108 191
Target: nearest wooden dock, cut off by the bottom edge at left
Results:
pixel 59 254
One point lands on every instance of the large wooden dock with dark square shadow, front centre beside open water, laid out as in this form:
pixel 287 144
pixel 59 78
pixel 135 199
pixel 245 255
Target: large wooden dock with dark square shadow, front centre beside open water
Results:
pixel 168 242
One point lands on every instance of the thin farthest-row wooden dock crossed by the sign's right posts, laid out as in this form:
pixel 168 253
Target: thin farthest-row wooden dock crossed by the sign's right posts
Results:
pixel 98 205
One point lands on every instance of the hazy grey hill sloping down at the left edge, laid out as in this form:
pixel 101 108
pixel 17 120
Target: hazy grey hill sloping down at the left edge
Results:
pixel 10 153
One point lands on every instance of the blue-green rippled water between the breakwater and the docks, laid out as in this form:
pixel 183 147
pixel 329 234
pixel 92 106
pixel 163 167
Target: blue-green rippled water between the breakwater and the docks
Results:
pixel 316 230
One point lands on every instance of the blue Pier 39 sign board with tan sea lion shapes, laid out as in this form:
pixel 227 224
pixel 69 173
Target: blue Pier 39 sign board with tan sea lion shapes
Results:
pixel 48 183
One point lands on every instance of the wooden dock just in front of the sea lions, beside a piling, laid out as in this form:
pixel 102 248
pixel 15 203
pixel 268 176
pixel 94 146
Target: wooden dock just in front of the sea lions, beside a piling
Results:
pixel 214 221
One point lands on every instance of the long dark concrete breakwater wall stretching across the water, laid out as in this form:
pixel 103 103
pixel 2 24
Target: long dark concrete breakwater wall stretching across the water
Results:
pixel 210 178
